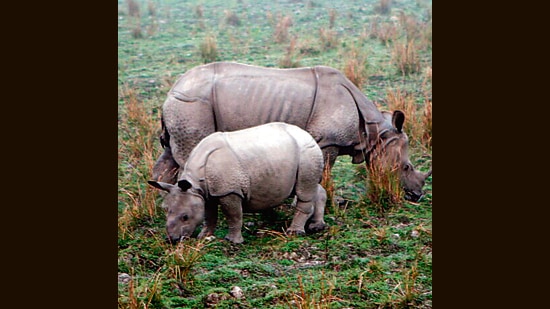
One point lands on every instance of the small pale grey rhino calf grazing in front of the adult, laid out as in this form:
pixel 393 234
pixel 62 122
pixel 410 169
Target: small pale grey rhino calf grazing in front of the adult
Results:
pixel 250 170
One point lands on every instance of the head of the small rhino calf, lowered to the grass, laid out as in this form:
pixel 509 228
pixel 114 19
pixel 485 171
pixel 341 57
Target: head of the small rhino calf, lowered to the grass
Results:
pixel 184 208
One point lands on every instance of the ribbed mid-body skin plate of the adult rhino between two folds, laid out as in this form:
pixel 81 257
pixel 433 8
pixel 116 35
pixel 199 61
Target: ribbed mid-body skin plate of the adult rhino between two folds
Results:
pixel 246 96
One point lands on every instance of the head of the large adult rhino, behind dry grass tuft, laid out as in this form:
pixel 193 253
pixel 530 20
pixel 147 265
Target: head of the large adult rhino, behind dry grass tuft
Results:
pixel 393 150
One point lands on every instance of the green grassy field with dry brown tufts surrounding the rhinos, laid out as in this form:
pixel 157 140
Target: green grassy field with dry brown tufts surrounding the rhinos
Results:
pixel 374 255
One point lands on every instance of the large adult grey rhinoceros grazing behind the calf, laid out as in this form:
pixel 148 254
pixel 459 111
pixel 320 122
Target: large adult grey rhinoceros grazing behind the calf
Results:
pixel 225 96
